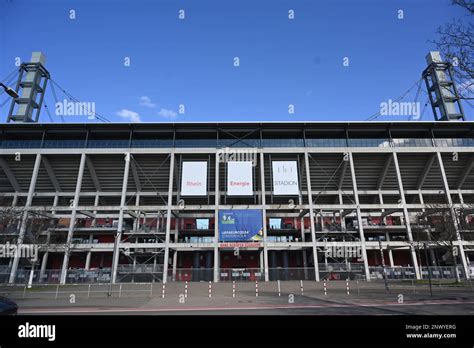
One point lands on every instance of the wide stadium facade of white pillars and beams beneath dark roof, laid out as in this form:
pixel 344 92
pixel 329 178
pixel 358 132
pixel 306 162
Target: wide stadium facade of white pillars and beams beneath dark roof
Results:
pixel 224 201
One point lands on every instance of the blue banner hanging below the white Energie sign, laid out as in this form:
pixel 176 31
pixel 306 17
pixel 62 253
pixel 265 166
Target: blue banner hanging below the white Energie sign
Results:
pixel 240 225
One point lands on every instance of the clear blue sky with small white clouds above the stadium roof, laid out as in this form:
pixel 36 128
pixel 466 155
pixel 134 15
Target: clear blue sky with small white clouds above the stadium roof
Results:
pixel 191 61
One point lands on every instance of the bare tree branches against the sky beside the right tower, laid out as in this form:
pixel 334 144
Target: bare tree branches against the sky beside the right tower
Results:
pixel 456 42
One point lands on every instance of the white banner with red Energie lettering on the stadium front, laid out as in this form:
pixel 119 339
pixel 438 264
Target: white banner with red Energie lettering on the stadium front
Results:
pixel 239 178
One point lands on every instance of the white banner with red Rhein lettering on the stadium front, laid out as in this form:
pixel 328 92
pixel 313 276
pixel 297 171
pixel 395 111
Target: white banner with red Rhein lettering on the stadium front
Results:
pixel 194 179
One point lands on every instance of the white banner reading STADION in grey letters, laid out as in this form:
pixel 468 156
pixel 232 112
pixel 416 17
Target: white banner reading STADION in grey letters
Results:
pixel 285 178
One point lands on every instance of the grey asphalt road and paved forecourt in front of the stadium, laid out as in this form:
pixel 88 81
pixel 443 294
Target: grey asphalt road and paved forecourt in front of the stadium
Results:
pixel 373 300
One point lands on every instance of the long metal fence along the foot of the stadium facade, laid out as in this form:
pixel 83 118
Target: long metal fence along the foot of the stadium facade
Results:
pixel 150 274
